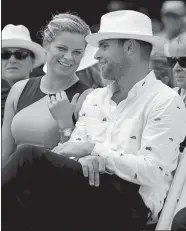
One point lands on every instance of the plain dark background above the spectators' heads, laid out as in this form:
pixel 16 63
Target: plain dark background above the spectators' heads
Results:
pixel 35 14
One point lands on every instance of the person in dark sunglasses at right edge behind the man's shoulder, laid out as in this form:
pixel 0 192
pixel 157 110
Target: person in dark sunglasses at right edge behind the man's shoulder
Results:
pixel 177 60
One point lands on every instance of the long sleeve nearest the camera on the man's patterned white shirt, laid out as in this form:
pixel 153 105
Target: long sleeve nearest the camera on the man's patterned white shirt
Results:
pixel 165 129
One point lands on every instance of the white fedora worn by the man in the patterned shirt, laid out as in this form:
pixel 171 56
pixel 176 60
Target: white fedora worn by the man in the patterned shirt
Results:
pixel 125 24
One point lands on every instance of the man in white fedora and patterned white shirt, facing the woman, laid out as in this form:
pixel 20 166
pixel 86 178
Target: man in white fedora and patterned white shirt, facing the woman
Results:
pixel 125 143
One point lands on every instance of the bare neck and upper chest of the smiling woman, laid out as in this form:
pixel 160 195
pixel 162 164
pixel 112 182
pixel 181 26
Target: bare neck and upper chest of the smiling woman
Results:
pixel 52 85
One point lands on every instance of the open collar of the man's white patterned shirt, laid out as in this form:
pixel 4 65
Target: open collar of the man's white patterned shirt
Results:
pixel 137 88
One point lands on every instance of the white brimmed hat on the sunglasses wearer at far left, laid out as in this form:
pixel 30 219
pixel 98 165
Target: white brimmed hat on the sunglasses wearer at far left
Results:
pixel 19 36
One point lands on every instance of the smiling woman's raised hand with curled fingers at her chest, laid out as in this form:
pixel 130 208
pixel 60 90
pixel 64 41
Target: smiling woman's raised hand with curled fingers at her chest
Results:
pixel 61 109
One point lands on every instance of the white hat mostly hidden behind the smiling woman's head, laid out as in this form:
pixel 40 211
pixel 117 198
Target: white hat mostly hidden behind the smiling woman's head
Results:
pixel 87 60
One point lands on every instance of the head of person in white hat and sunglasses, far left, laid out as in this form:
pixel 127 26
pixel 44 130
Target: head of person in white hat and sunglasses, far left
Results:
pixel 19 53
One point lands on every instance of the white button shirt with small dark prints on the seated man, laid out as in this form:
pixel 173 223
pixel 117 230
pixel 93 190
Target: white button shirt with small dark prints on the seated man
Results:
pixel 139 137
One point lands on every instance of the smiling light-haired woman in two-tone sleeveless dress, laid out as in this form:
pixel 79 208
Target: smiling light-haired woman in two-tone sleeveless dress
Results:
pixel 27 118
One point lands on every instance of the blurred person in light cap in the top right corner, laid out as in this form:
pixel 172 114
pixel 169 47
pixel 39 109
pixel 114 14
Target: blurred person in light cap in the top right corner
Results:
pixel 173 15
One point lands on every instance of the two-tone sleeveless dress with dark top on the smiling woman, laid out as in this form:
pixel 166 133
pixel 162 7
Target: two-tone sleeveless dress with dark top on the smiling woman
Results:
pixel 33 124
